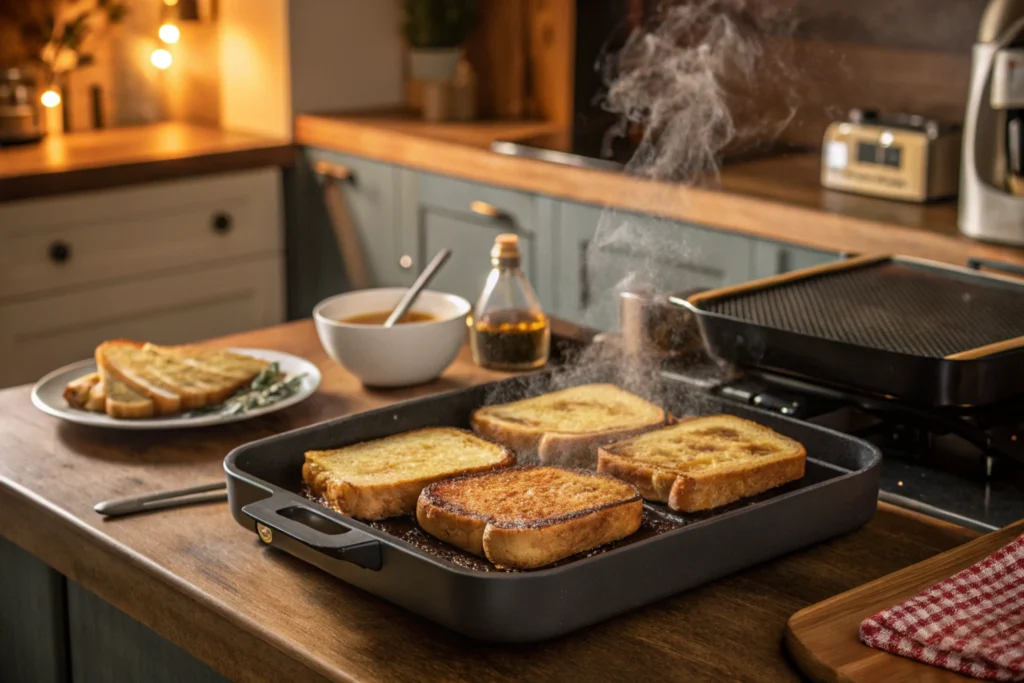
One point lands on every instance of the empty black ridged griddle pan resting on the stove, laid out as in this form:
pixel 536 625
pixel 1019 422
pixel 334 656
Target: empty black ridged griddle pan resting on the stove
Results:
pixel 897 327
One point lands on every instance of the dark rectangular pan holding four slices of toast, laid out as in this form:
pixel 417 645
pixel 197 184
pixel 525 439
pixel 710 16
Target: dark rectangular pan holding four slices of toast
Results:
pixel 399 563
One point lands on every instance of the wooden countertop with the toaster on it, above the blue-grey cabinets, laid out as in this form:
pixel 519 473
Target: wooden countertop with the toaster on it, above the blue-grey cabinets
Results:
pixel 775 198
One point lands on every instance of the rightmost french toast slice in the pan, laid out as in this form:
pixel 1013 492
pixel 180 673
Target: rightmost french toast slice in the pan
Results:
pixel 705 463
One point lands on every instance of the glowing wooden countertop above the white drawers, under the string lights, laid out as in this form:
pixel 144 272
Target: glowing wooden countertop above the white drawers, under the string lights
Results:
pixel 95 160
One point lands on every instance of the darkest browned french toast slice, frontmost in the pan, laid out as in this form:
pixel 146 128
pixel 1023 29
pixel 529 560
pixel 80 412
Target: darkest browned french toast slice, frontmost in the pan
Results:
pixel 528 518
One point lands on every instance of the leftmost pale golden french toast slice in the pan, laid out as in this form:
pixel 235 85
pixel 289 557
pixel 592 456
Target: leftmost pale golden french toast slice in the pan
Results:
pixel 385 478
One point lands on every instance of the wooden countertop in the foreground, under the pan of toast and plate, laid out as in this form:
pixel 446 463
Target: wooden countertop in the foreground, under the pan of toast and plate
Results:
pixel 254 614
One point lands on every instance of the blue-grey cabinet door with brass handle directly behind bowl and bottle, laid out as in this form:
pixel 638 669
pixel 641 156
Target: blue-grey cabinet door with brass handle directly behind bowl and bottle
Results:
pixel 466 218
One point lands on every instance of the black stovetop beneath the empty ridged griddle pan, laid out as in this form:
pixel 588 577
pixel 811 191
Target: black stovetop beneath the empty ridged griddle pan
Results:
pixel 936 462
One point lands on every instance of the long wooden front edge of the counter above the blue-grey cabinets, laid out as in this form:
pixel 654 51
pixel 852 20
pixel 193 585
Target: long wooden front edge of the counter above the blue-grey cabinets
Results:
pixel 755 217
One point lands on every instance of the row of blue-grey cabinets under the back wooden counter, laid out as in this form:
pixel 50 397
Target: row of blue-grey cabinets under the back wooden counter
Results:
pixel 404 218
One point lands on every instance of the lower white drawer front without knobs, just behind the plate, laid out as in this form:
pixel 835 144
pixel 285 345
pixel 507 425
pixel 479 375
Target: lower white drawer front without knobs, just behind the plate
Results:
pixel 44 334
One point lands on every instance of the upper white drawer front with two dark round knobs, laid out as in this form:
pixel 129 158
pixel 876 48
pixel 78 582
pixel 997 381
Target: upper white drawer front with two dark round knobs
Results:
pixel 63 243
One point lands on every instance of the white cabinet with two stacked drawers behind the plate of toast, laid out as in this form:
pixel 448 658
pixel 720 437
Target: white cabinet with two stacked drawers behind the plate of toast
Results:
pixel 170 263
